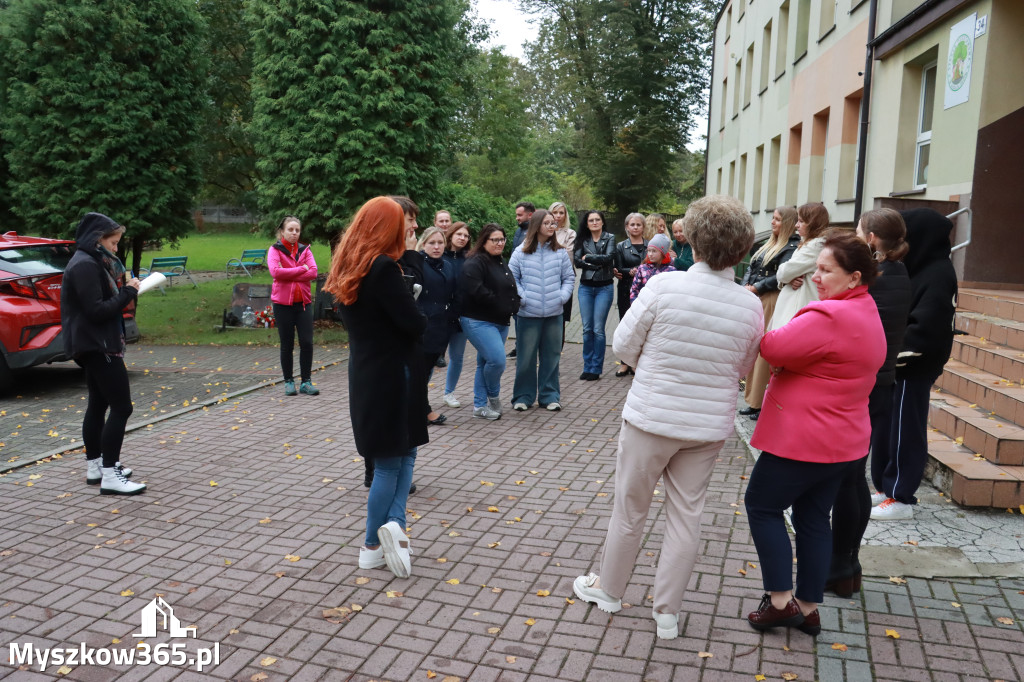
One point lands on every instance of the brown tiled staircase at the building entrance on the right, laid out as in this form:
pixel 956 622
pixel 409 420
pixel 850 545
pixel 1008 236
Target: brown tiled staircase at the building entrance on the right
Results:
pixel 977 409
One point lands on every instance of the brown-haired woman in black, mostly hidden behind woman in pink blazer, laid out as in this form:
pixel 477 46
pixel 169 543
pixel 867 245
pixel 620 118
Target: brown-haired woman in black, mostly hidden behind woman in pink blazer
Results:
pixel 885 233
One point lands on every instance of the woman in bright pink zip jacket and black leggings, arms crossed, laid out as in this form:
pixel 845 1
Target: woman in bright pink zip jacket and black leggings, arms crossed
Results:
pixel 293 268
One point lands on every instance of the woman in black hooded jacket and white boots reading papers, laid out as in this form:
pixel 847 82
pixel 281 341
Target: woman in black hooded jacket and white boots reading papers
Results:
pixel 92 304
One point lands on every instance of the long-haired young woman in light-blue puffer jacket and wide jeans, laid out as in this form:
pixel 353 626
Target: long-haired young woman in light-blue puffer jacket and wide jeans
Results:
pixel 544 277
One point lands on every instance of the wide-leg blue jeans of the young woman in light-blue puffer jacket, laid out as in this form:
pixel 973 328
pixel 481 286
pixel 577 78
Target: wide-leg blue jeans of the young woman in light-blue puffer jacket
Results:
pixel 540 343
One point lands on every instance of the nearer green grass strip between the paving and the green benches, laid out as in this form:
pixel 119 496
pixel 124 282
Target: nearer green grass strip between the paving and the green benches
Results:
pixel 189 317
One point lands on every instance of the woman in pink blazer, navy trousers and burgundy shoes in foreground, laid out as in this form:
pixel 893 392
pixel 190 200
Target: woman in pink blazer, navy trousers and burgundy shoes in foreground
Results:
pixel 815 424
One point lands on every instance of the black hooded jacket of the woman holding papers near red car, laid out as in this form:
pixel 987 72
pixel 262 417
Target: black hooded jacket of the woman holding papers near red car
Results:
pixel 91 303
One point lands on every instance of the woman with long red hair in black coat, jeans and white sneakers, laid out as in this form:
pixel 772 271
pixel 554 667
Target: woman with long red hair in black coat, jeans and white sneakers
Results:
pixel 387 382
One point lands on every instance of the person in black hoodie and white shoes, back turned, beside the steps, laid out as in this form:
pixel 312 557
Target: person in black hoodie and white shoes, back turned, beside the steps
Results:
pixel 927 345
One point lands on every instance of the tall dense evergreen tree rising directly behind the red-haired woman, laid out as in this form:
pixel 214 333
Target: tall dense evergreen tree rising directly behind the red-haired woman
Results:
pixel 353 100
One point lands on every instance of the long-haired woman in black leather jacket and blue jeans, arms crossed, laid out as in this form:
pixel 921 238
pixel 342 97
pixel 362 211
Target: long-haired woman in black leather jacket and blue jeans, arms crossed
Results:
pixel 594 254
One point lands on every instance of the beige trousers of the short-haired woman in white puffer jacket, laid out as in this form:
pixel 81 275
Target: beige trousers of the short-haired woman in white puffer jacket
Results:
pixel 687 467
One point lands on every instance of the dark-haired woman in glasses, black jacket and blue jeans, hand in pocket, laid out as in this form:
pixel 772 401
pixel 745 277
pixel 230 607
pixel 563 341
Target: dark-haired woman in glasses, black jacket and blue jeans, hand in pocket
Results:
pixel 489 302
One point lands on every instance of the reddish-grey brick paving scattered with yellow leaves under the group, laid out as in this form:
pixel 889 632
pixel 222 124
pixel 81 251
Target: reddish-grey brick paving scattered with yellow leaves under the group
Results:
pixel 257 510
